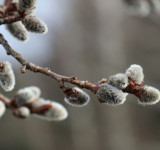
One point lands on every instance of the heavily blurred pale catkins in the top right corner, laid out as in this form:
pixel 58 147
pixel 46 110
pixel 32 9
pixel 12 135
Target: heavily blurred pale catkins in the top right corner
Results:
pixel 143 8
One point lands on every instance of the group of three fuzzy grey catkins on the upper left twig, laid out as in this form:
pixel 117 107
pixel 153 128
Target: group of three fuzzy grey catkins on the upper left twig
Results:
pixel 30 23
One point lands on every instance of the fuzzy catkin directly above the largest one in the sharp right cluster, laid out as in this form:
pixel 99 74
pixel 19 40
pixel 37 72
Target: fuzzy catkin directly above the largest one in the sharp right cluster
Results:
pixel 119 80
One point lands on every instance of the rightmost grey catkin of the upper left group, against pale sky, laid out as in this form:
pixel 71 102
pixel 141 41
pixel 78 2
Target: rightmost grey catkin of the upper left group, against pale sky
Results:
pixel 34 24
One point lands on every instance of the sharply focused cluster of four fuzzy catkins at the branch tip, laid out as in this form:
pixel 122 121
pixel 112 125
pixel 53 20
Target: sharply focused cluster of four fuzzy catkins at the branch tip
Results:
pixel 113 91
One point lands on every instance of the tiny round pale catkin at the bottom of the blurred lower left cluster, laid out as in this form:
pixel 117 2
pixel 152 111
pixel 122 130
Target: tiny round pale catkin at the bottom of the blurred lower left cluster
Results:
pixel 23 112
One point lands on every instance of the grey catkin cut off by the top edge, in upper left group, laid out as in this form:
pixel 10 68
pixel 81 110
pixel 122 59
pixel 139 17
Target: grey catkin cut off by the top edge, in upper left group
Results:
pixel 26 6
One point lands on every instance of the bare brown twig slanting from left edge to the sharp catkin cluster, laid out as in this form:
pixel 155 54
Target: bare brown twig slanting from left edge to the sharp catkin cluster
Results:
pixel 37 69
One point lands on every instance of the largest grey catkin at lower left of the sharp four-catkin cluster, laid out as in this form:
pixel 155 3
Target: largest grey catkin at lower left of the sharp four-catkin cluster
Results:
pixel 111 95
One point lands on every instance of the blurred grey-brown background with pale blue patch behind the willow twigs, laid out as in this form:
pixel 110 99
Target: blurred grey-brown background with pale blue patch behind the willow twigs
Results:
pixel 90 39
